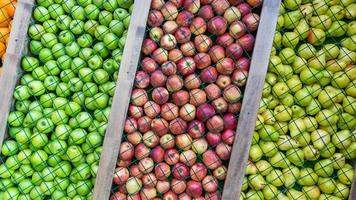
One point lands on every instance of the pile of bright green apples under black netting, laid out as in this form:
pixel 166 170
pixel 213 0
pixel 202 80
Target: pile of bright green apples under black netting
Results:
pixel 62 102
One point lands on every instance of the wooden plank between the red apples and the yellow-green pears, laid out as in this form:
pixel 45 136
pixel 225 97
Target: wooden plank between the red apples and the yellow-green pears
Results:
pixel 251 101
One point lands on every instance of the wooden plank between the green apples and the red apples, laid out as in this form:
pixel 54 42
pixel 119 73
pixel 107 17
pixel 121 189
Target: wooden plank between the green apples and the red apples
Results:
pixel 121 100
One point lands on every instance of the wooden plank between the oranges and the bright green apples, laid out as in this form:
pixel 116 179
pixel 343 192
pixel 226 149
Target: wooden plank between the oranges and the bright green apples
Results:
pixel 11 68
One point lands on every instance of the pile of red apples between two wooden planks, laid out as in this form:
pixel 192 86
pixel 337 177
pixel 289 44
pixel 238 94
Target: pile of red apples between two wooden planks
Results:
pixel 187 95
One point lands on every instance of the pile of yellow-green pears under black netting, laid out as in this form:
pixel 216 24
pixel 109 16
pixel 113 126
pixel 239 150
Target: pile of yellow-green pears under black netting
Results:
pixel 305 137
